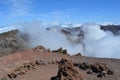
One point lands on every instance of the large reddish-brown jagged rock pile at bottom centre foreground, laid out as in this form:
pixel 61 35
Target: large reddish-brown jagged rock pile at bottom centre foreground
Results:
pixel 67 72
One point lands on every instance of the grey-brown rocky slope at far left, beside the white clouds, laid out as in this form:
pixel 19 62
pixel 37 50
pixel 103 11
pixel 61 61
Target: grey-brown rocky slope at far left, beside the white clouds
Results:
pixel 12 41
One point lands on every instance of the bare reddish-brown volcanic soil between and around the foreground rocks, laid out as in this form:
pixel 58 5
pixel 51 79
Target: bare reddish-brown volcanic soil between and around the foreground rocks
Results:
pixel 49 69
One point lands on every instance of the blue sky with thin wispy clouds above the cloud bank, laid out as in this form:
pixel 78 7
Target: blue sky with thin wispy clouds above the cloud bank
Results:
pixel 76 11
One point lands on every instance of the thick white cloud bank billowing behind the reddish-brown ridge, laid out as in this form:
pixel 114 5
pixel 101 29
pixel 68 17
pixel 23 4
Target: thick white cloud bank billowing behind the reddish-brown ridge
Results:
pixel 97 43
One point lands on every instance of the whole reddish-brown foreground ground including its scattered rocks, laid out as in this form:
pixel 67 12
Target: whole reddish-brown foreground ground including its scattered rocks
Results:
pixel 43 64
